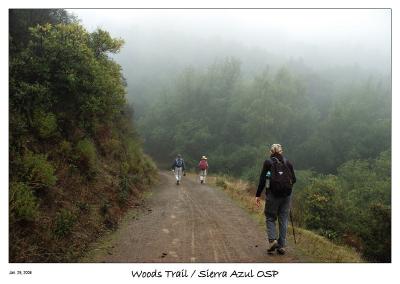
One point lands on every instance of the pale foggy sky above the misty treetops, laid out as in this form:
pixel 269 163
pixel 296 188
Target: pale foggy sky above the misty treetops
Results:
pixel 161 43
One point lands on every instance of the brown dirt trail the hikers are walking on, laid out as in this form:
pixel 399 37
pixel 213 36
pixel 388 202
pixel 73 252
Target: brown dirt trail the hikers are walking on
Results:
pixel 189 223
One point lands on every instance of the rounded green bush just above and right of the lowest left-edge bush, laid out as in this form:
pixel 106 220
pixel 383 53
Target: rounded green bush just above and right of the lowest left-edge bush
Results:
pixel 38 171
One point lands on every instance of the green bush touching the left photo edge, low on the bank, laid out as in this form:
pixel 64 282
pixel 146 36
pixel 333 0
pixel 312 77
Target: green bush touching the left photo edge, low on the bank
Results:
pixel 23 203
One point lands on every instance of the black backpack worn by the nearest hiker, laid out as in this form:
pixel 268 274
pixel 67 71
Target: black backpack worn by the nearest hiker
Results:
pixel 281 181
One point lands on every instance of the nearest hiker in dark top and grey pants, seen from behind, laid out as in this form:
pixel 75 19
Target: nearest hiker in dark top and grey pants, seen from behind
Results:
pixel 278 174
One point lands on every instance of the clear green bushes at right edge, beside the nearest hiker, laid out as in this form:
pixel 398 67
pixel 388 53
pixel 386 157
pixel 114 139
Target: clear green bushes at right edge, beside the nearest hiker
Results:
pixel 352 207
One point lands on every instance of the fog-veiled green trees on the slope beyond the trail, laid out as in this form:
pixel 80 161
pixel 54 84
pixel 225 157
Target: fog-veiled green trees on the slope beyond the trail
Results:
pixel 234 120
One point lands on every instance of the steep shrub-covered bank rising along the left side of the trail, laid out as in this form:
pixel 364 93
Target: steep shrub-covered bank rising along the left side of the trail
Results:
pixel 70 132
